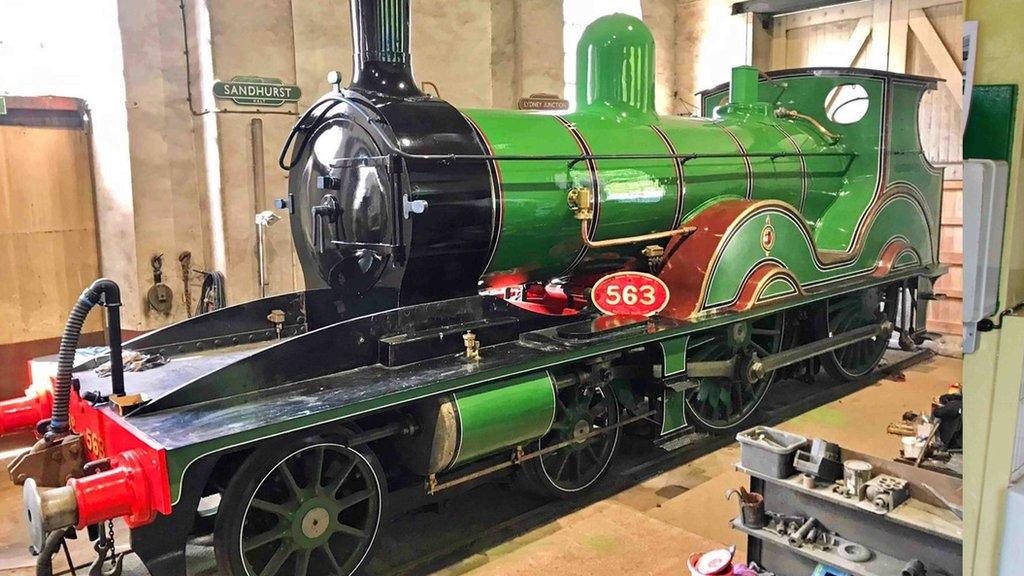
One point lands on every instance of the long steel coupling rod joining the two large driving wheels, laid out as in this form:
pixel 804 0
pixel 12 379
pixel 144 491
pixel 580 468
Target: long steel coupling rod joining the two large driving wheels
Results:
pixel 755 368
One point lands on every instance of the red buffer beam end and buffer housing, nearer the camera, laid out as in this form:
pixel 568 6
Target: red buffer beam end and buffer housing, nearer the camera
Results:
pixel 138 485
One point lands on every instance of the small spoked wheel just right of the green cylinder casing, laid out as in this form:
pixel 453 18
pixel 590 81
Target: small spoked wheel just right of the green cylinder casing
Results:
pixel 570 470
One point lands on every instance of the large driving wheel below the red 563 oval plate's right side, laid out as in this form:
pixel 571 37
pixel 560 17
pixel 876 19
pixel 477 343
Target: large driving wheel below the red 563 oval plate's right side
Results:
pixel 722 405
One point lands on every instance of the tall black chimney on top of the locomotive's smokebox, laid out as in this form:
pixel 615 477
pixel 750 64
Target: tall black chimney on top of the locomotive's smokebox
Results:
pixel 381 43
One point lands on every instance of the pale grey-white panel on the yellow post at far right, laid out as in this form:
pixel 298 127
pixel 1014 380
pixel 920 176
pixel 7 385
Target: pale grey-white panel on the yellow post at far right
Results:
pixel 985 211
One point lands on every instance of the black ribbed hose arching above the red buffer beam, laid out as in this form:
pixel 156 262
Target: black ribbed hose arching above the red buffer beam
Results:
pixel 109 293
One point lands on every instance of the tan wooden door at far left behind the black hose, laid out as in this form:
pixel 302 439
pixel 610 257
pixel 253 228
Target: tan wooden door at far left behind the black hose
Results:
pixel 49 243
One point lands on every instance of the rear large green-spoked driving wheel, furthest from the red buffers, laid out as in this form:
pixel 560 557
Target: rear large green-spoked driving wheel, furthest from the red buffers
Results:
pixel 849 312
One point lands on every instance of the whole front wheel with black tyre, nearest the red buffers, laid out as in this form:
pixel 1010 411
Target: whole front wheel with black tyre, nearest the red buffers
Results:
pixel 308 511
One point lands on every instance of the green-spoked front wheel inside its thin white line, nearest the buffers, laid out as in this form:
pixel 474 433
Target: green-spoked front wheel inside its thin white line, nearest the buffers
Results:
pixel 317 513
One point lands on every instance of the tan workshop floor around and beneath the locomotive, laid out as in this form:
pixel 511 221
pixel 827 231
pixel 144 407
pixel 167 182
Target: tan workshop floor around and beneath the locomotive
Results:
pixel 650 528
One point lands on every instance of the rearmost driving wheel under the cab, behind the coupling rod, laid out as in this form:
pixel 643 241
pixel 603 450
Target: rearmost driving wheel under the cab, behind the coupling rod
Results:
pixel 851 312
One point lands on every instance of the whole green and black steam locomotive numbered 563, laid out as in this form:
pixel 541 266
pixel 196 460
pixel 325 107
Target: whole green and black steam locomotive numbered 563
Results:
pixel 494 293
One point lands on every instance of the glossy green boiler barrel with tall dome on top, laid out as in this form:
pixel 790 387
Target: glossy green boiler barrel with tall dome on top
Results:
pixel 540 239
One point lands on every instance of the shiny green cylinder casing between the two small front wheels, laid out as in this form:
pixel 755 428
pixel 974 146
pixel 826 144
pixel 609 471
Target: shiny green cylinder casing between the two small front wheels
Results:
pixel 504 414
